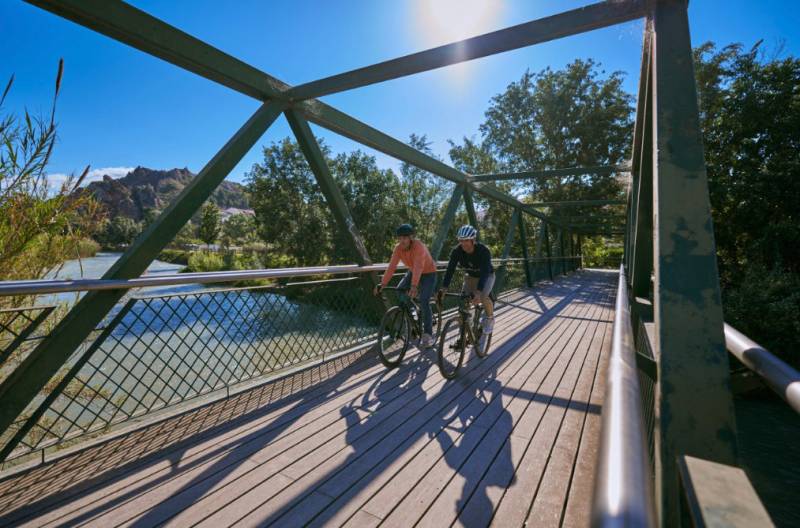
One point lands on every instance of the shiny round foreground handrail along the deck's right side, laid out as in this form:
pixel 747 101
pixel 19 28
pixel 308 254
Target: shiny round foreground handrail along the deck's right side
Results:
pixel 623 492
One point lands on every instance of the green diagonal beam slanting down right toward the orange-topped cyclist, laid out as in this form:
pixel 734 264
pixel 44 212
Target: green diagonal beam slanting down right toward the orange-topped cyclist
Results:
pixel 333 195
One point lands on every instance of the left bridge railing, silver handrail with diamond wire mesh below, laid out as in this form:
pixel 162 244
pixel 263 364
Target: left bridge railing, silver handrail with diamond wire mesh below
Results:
pixel 161 353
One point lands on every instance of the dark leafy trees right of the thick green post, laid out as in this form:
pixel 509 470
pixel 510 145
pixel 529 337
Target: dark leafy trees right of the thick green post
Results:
pixel 750 118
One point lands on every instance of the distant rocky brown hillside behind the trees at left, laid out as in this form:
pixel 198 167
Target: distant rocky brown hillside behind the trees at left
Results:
pixel 144 189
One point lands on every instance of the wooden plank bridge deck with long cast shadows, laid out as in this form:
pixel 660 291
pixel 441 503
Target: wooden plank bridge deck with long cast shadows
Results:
pixel 513 439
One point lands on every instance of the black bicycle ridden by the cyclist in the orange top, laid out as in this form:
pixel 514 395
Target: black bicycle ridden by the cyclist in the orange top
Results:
pixel 400 324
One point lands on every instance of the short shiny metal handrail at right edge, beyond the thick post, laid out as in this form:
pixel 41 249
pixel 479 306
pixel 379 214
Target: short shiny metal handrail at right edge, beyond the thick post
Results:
pixel 781 377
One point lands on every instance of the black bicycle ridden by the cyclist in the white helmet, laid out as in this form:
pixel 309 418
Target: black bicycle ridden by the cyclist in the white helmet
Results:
pixel 468 333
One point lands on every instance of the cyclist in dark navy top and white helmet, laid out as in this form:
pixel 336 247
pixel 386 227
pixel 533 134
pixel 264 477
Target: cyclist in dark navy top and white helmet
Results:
pixel 476 260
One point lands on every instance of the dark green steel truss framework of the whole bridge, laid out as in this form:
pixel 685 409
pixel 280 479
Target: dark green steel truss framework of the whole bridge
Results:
pixel 669 243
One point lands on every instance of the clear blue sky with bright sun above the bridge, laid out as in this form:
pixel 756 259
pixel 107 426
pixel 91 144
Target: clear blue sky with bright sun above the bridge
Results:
pixel 120 108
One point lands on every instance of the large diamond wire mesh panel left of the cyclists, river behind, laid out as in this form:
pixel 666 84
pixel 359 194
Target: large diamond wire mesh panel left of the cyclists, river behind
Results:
pixel 160 351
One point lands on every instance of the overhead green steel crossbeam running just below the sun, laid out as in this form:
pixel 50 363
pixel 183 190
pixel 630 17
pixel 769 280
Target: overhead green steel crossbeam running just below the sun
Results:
pixel 572 22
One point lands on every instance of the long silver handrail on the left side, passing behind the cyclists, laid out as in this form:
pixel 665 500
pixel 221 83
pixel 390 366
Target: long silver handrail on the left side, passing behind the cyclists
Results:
pixel 41 286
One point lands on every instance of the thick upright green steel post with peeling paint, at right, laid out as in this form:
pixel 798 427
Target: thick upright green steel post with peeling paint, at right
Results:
pixel 693 398
